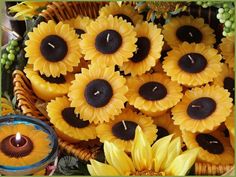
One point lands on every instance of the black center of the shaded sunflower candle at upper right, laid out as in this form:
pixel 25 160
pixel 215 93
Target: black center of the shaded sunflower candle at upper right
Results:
pixel 189 34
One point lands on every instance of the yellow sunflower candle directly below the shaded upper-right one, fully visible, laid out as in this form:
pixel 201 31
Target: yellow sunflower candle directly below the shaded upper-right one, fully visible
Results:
pixel 192 64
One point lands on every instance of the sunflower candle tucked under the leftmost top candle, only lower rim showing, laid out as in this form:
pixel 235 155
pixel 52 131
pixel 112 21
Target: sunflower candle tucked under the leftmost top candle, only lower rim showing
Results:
pixel 48 88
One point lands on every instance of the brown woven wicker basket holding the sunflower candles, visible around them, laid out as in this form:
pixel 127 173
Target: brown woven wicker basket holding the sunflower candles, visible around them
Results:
pixel 26 98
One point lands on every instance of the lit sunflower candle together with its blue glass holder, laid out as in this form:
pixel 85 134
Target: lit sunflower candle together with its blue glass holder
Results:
pixel 26 145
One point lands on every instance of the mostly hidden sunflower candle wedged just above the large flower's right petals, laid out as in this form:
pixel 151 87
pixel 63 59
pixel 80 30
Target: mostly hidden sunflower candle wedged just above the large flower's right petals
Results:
pixel 165 126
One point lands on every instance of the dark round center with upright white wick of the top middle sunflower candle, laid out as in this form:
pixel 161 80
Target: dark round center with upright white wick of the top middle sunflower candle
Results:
pixel 108 41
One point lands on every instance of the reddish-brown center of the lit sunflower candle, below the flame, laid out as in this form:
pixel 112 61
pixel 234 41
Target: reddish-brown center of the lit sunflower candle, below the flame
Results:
pixel 13 148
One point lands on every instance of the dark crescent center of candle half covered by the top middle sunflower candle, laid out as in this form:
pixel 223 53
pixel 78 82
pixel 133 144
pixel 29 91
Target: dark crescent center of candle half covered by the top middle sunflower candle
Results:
pixel 143 48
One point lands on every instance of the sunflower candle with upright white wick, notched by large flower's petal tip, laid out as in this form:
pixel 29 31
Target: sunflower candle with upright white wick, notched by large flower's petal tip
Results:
pixel 121 130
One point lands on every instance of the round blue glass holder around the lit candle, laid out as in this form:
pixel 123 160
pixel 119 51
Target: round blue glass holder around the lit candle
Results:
pixel 41 126
